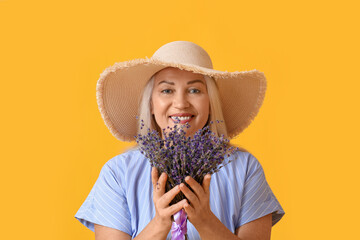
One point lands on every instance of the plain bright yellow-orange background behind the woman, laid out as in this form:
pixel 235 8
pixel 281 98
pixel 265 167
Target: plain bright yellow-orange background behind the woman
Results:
pixel 54 141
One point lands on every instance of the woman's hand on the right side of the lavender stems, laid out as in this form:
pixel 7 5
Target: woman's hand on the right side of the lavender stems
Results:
pixel 198 211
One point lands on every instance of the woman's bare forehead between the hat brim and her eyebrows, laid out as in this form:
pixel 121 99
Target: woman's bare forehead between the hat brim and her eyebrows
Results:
pixel 176 74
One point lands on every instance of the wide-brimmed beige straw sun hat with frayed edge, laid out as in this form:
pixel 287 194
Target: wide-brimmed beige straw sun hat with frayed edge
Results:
pixel 120 86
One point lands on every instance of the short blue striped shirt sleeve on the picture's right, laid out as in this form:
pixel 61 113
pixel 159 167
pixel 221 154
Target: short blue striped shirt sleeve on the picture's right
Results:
pixel 258 199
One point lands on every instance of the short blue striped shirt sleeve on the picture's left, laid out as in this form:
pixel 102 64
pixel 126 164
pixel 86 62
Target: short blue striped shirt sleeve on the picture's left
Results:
pixel 106 203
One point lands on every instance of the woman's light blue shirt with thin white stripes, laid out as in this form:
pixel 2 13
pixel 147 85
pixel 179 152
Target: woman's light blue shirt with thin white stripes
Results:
pixel 121 198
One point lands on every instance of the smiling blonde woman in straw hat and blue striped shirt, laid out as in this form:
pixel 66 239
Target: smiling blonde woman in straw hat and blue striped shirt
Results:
pixel 129 201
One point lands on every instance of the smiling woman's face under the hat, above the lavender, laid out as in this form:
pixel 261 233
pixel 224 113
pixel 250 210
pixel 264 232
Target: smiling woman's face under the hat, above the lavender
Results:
pixel 180 94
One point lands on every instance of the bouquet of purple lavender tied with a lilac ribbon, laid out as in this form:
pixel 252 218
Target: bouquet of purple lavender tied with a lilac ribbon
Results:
pixel 180 156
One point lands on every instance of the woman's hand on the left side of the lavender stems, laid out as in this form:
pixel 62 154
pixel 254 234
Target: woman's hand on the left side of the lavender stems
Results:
pixel 162 200
